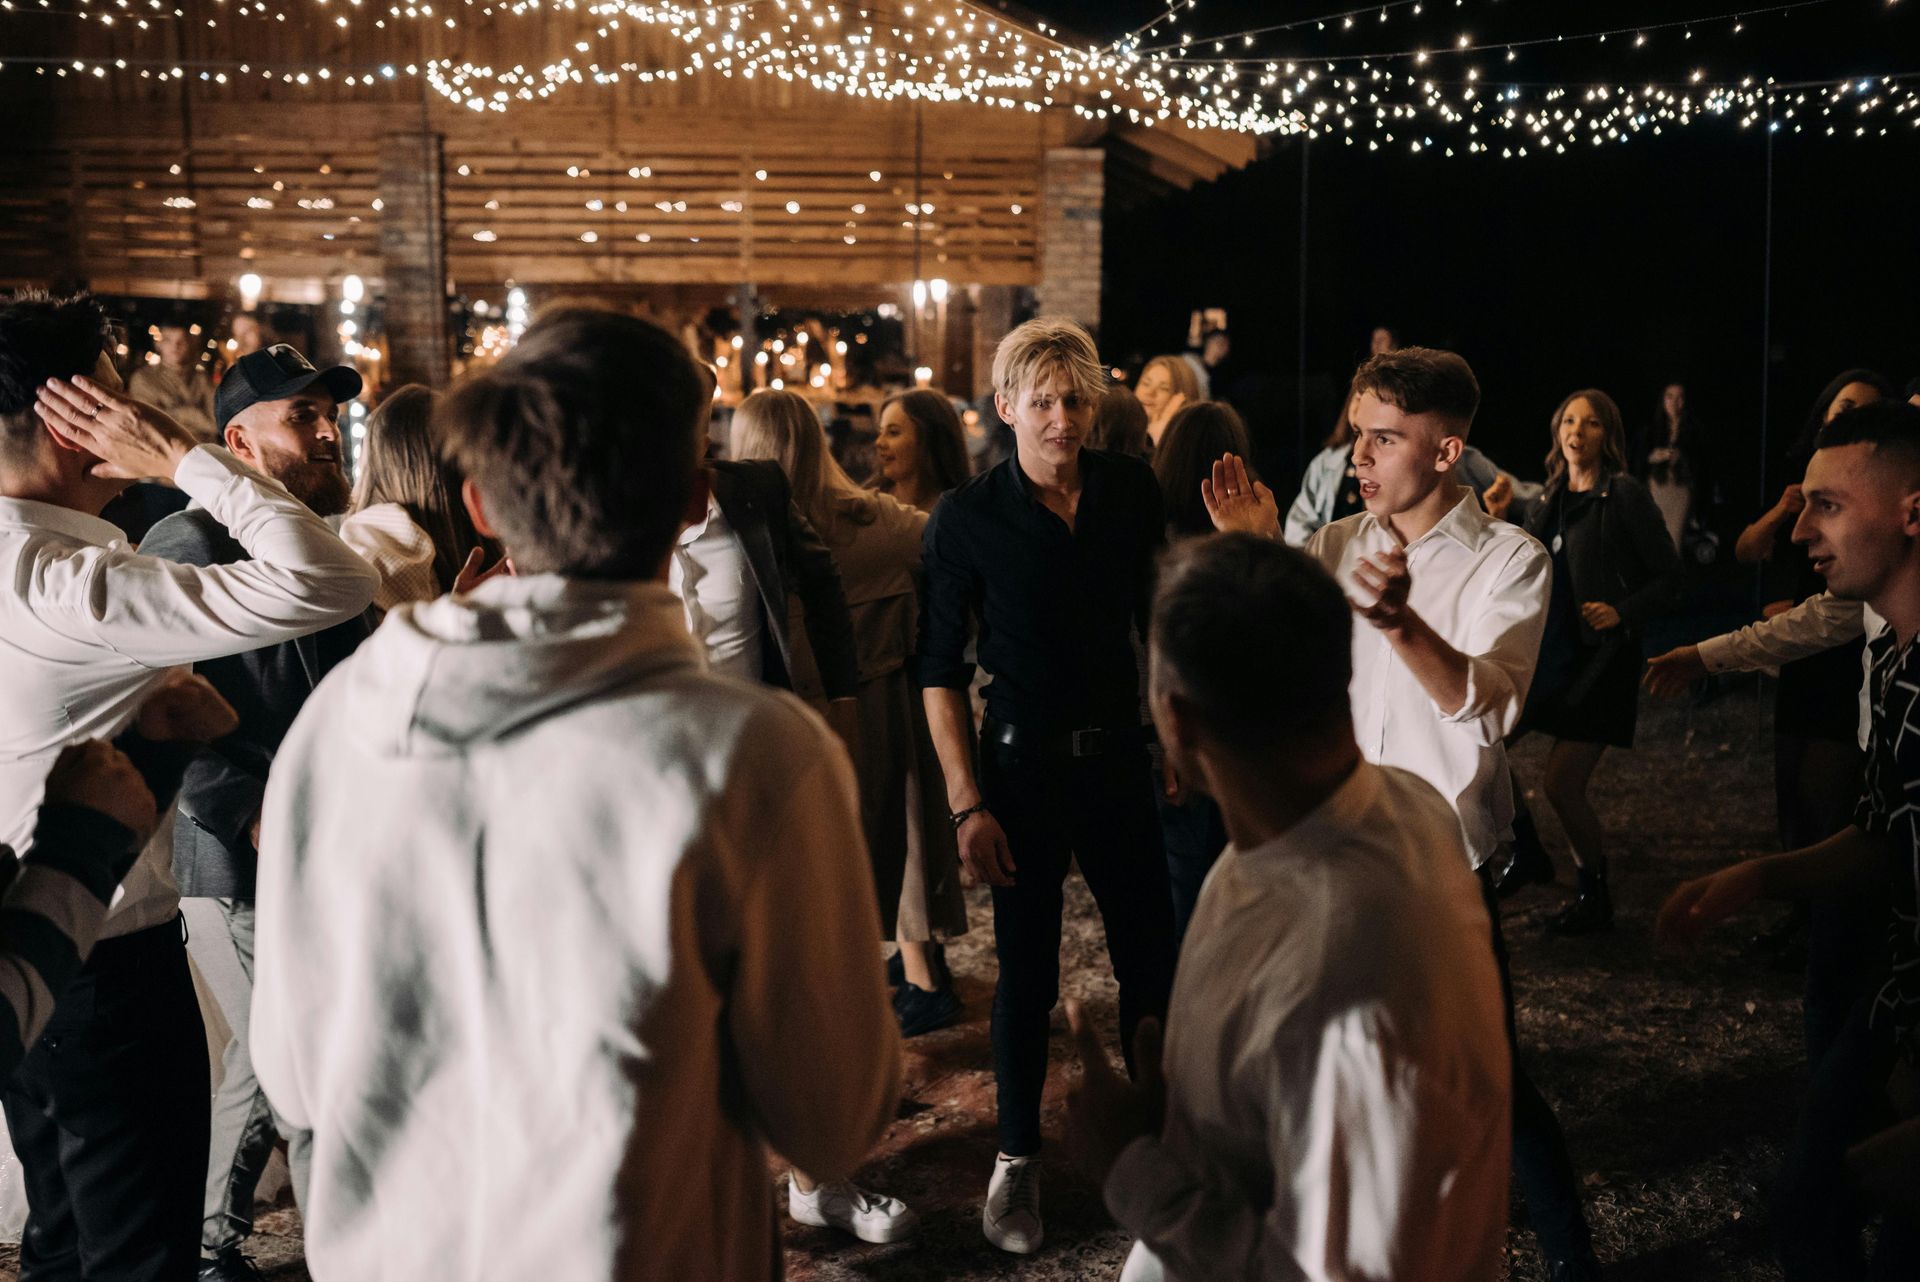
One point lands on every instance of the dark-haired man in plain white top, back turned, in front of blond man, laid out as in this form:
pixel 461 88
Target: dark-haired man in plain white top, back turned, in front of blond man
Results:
pixel 1335 1062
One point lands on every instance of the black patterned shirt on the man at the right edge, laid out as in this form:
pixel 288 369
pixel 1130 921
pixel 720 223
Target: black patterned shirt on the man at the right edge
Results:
pixel 1890 805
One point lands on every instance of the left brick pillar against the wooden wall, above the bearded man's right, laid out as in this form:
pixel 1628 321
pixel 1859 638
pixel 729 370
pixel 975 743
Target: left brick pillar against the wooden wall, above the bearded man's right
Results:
pixel 414 260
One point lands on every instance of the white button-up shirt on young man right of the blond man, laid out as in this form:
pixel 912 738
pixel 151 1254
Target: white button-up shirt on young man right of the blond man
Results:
pixel 1481 584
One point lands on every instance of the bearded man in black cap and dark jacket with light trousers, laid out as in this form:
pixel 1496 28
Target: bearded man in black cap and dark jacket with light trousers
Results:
pixel 279 415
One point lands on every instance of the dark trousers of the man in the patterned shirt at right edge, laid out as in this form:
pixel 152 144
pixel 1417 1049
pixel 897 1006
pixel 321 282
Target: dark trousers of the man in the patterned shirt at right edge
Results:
pixel 1817 1214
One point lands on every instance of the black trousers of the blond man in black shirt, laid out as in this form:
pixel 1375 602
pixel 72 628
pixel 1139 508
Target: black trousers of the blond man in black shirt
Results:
pixel 1057 809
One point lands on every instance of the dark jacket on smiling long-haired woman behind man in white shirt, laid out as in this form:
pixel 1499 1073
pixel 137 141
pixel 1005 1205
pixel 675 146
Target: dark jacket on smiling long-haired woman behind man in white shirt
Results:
pixel 1625 559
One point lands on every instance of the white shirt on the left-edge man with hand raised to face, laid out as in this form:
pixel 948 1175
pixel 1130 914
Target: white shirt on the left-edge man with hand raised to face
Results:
pixel 89 629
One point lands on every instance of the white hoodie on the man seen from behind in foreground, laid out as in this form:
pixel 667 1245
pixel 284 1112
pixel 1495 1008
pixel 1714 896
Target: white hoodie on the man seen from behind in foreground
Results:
pixel 556 930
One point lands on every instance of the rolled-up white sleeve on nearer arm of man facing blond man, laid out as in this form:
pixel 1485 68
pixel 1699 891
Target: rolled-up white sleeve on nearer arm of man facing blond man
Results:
pixel 1502 646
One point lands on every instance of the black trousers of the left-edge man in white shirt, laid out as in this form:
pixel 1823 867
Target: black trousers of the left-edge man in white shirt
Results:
pixel 110 1120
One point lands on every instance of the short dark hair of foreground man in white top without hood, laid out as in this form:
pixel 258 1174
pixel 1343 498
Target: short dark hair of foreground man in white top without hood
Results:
pixel 1257 638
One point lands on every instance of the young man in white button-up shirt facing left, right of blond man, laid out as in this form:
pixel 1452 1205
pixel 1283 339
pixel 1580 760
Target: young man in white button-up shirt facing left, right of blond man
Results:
pixel 1456 604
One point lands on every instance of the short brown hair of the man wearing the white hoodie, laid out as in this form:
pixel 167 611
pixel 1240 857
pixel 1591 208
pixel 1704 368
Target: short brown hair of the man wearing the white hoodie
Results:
pixel 583 444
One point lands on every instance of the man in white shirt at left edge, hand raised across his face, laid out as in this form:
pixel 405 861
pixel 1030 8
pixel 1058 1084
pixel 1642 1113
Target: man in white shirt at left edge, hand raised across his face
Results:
pixel 110 1114
